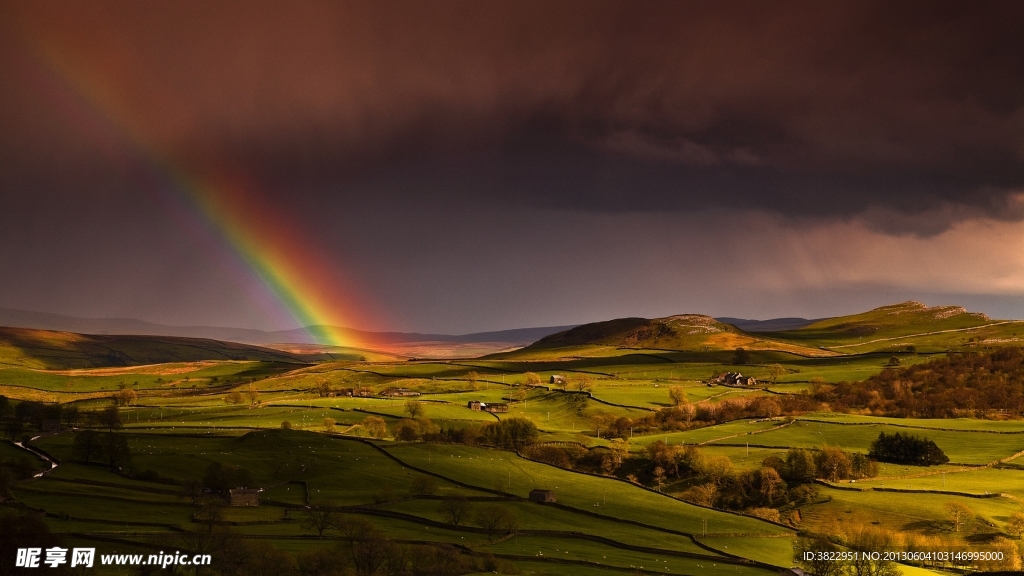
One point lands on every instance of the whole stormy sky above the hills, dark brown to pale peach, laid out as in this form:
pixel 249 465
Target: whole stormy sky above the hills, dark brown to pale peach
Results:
pixel 467 167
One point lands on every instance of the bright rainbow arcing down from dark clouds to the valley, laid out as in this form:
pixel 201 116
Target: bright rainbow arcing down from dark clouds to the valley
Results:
pixel 294 272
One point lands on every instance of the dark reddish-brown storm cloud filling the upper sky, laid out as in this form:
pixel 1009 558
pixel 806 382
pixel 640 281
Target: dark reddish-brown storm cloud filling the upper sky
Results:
pixel 880 111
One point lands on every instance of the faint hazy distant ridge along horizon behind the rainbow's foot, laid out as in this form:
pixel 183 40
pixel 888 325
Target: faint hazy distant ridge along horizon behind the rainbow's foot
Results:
pixel 127 326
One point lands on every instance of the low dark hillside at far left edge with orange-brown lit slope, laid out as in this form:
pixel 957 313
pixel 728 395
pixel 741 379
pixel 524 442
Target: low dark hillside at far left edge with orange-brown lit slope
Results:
pixel 52 350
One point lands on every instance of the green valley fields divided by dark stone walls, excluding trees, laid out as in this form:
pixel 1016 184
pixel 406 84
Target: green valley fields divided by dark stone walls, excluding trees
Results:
pixel 185 419
